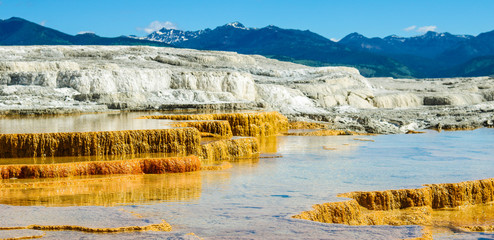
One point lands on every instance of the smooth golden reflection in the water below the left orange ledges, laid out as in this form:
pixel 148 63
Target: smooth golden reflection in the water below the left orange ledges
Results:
pixel 102 191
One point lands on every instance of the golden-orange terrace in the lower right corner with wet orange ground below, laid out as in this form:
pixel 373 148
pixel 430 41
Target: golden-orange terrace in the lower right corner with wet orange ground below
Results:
pixel 464 206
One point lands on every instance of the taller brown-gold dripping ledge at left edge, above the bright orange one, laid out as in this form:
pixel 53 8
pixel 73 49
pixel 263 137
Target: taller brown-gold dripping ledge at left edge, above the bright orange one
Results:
pixel 184 141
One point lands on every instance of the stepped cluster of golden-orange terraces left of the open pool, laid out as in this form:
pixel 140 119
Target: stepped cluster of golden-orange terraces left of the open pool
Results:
pixel 181 141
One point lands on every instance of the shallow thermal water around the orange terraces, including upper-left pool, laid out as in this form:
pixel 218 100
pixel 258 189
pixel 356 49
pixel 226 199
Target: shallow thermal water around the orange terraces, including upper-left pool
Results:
pixel 257 197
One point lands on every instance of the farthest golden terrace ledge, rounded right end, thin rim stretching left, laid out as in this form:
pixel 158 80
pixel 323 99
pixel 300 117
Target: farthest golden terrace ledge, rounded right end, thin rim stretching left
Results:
pixel 242 124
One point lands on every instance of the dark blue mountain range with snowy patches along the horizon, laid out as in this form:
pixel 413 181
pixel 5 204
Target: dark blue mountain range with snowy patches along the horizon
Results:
pixel 430 55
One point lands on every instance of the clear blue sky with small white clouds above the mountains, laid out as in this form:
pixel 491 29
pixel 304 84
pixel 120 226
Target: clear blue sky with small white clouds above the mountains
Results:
pixel 329 18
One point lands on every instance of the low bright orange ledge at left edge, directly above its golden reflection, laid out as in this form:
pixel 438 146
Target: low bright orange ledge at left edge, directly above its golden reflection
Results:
pixel 133 166
